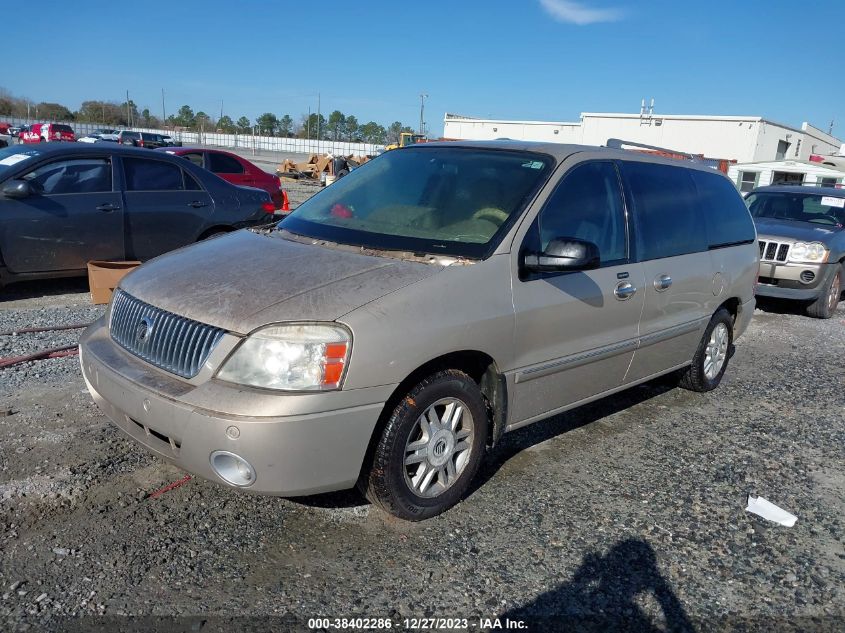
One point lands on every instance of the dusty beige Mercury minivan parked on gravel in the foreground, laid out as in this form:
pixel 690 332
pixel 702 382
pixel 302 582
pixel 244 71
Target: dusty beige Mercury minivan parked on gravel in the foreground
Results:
pixel 432 300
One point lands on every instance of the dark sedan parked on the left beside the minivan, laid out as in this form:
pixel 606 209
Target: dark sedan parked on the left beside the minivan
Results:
pixel 62 205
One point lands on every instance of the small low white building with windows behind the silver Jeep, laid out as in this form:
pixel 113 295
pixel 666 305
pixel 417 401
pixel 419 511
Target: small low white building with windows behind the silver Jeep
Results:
pixel 747 176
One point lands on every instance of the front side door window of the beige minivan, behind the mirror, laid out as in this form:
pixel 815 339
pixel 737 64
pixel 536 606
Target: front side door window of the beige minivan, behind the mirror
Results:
pixel 587 205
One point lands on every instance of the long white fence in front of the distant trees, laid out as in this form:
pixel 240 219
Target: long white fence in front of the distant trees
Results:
pixel 243 141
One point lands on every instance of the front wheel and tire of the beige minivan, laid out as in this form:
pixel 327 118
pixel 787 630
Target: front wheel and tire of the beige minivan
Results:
pixel 401 489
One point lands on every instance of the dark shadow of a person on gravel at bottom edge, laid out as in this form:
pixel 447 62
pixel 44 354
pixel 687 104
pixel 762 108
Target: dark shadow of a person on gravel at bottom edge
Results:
pixel 607 592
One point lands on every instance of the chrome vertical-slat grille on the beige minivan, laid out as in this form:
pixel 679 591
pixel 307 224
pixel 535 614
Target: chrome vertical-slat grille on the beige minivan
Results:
pixel 166 340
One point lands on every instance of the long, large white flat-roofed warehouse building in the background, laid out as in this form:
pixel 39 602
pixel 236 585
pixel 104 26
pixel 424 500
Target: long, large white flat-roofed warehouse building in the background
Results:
pixel 743 139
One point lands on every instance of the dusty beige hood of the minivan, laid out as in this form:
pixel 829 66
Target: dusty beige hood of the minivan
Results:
pixel 244 280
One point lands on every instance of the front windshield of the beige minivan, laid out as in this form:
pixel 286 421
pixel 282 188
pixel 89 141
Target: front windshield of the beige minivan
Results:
pixel 442 200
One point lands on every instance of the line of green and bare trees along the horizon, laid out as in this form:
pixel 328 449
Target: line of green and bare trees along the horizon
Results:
pixel 337 127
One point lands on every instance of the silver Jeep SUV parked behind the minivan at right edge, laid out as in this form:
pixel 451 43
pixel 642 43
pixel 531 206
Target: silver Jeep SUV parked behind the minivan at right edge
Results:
pixel 802 244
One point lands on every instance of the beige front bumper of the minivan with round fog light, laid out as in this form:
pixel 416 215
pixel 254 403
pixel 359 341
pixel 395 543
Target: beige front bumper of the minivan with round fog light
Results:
pixel 306 452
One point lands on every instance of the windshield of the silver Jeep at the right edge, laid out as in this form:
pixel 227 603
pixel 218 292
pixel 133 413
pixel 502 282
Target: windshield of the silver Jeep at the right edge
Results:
pixel 798 207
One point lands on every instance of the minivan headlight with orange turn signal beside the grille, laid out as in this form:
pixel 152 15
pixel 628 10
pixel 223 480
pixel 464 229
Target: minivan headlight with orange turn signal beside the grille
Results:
pixel 294 357
